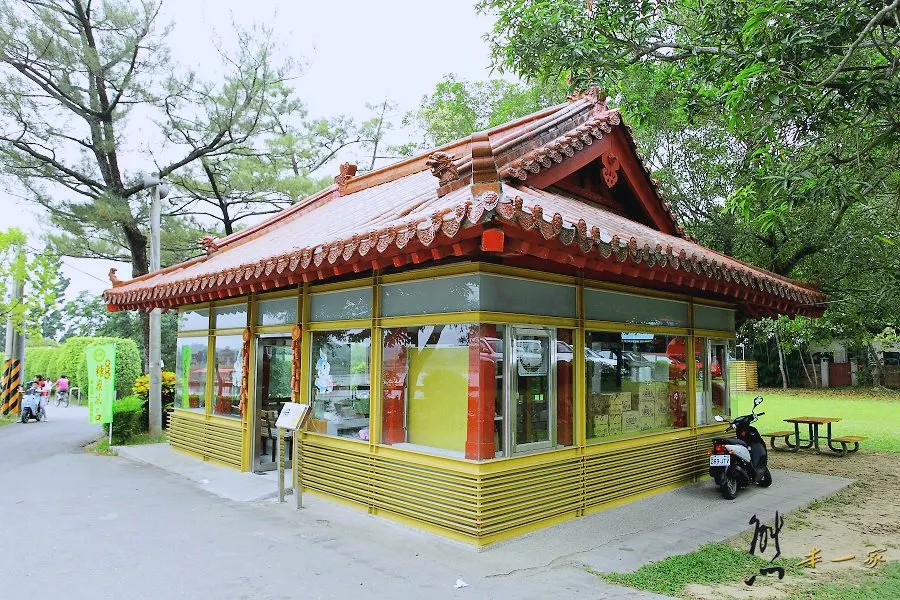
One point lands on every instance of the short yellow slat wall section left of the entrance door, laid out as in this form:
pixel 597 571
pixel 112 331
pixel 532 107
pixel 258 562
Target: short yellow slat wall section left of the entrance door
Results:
pixel 210 440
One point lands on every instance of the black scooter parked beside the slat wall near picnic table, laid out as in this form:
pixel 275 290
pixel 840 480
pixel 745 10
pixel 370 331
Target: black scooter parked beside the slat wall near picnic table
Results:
pixel 739 461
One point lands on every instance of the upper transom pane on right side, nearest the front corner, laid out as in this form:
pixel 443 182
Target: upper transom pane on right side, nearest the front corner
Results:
pixel 515 295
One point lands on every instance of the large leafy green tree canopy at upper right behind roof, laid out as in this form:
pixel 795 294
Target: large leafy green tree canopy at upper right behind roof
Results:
pixel 771 125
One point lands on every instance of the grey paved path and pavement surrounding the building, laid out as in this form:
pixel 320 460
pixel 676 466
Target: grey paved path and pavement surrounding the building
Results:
pixel 75 525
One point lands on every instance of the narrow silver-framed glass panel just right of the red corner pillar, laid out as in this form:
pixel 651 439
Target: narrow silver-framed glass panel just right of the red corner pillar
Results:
pixel 531 401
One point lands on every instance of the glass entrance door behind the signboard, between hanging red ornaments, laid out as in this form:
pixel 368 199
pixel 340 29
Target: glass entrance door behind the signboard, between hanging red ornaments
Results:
pixel 273 389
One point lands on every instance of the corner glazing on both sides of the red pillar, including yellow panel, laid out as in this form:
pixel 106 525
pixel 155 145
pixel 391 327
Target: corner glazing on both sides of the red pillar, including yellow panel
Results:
pixel 478 391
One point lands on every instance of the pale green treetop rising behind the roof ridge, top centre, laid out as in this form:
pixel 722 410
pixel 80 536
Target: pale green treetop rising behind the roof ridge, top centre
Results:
pixel 458 108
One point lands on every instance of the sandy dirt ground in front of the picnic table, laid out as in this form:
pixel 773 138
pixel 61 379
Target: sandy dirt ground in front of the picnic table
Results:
pixel 858 519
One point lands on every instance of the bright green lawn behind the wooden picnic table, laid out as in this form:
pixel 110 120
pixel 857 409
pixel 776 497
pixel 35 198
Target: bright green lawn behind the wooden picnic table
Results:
pixel 873 414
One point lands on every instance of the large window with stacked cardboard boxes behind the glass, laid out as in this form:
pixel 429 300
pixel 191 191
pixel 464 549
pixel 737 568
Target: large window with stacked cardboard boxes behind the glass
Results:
pixel 635 383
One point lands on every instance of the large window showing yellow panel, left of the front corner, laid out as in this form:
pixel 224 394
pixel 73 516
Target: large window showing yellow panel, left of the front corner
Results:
pixel 426 386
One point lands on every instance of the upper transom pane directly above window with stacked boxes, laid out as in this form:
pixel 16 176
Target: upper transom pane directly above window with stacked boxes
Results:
pixel 602 305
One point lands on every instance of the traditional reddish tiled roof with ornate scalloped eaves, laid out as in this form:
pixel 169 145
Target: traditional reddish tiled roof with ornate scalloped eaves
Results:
pixel 424 208
